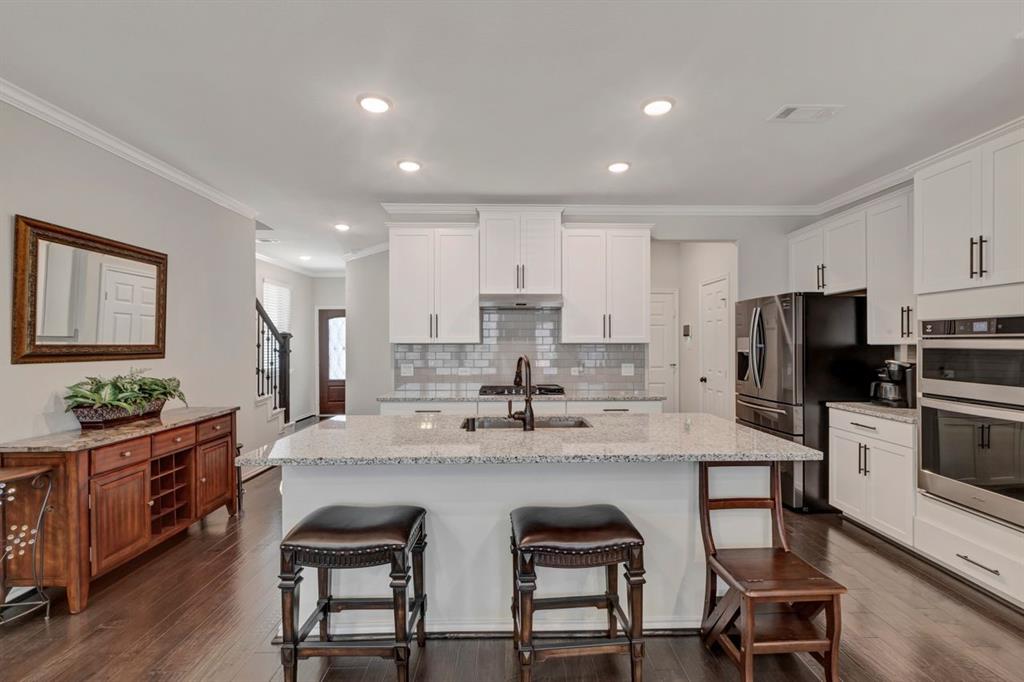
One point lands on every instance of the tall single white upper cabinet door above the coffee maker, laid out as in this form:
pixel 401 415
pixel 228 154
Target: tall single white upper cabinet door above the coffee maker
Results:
pixel 890 274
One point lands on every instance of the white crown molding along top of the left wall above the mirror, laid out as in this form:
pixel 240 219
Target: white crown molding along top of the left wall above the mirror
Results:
pixel 68 122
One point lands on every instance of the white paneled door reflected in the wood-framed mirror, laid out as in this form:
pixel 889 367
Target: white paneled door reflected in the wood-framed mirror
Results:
pixel 129 311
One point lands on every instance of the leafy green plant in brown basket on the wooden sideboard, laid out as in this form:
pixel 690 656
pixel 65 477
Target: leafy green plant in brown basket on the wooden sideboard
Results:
pixel 99 403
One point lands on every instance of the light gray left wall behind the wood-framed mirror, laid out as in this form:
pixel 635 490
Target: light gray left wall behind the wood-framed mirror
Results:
pixel 55 177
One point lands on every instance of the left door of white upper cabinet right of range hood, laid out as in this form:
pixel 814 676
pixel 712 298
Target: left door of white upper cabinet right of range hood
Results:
pixel 584 286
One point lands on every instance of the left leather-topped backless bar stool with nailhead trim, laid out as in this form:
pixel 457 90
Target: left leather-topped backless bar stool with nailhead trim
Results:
pixel 343 537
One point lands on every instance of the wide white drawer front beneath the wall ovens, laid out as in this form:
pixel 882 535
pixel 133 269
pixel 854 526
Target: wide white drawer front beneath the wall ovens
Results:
pixel 982 565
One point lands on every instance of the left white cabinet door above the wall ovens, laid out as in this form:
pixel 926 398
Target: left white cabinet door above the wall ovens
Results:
pixel 947 218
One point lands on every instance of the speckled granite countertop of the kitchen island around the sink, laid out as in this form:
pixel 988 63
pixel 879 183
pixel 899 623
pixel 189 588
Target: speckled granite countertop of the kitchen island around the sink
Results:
pixel 370 440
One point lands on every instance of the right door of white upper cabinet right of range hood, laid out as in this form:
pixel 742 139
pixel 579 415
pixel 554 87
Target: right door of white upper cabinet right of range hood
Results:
pixel 629 286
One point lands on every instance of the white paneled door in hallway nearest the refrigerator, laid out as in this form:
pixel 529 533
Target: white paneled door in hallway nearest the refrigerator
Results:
pixel 717 392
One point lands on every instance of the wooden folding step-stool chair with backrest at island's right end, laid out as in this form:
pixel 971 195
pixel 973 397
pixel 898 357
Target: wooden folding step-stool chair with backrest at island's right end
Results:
pixel 774 594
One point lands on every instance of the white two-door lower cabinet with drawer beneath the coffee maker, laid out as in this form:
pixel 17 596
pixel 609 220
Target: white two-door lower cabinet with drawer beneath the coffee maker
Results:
pixel 870 480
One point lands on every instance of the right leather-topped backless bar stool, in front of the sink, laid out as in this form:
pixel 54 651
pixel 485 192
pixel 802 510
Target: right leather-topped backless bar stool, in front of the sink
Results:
pixel 577 538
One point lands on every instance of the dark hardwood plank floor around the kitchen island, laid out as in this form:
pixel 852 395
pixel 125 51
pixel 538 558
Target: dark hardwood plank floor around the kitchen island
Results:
pixel 205 608
